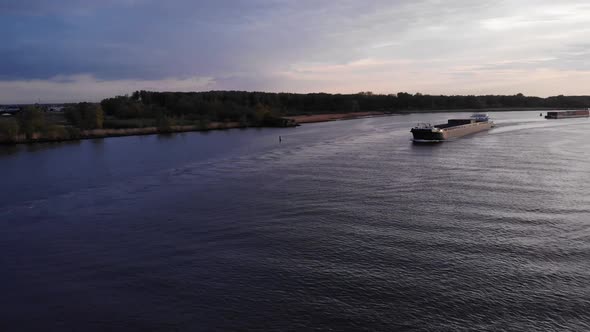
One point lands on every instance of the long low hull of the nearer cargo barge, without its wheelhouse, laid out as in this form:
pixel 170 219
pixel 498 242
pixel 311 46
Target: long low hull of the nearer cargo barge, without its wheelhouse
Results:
pixel 443 133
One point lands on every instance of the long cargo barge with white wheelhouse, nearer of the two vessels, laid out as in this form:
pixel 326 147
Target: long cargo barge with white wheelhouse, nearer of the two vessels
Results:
pixel 454 128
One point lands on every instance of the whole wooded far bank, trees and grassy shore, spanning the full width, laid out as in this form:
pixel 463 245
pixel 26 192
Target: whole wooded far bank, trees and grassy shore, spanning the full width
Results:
pixel 166 111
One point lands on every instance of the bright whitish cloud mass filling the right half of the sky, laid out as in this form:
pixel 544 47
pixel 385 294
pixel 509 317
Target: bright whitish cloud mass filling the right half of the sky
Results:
pixel 536 47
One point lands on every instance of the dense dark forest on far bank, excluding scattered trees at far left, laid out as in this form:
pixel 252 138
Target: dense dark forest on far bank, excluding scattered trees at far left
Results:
pixel 254 107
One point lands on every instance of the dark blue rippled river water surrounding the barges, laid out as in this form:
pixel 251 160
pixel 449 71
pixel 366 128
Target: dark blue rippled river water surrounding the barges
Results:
pixel 343 226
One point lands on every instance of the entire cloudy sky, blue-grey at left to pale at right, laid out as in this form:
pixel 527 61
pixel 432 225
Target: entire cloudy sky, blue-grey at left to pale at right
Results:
pixel 74 50
